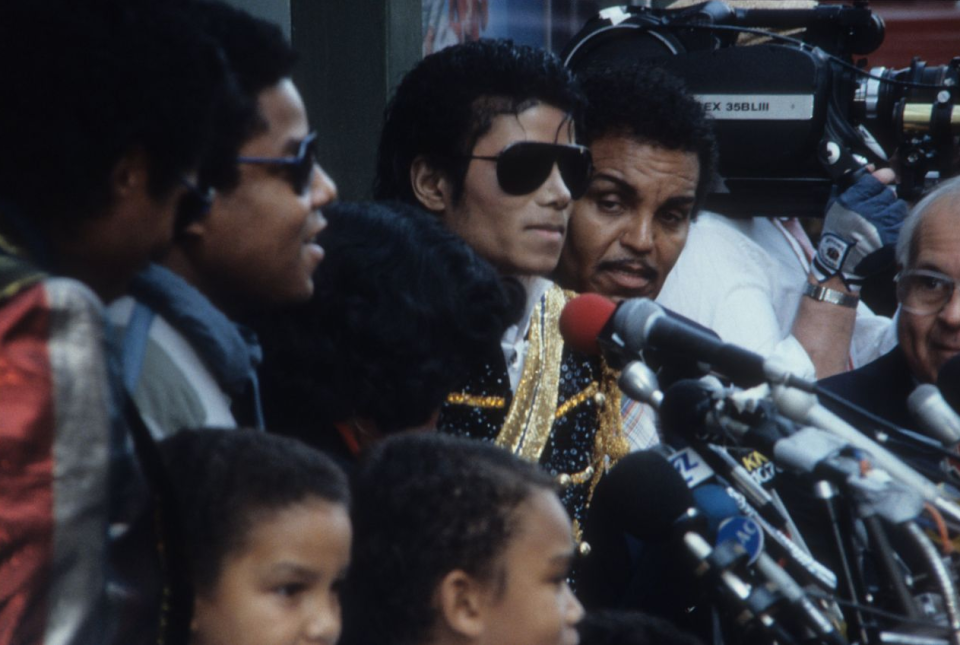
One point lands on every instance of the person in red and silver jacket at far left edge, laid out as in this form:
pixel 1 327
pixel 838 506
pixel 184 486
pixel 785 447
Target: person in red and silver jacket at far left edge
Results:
pixel 97 155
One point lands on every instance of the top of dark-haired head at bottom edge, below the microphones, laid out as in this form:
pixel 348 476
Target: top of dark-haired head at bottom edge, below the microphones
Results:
pixel 610 627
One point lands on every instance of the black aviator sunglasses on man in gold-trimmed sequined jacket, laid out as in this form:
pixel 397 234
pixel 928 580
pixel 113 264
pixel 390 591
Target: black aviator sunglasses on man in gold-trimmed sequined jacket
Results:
pixel 522 167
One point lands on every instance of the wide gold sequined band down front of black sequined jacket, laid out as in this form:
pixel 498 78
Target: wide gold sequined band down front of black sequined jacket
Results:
pixel 530 419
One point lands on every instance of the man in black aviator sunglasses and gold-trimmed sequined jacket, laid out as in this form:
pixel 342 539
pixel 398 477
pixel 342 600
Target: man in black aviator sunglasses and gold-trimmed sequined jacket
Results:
pixel 482 134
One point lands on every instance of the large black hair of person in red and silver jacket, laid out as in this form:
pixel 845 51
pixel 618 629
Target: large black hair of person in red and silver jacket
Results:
pixel 90 81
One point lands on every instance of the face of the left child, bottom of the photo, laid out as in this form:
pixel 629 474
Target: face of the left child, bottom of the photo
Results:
pixel 282 586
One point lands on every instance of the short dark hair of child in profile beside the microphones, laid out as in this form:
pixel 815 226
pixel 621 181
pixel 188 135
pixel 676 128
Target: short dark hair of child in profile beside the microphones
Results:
pixel 426 505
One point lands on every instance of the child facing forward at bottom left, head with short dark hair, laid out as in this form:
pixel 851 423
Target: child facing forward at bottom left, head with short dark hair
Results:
pixel 267 536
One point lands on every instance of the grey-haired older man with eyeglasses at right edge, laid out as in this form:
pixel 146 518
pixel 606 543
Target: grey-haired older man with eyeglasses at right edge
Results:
pixel 928 322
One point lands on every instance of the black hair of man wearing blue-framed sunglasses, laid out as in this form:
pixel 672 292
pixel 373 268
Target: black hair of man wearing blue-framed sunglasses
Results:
pixel 260 57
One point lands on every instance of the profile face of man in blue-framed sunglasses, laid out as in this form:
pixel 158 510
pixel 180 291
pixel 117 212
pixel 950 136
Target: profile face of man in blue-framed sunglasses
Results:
pixel 257 246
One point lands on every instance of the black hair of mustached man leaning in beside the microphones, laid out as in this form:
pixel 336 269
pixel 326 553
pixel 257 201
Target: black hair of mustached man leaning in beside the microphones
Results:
pixel 653 107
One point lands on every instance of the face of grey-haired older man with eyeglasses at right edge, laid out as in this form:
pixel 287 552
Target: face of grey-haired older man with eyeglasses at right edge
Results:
pixel 928 341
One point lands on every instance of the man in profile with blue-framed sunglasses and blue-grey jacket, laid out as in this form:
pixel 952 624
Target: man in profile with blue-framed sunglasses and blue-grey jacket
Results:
pixel 187 361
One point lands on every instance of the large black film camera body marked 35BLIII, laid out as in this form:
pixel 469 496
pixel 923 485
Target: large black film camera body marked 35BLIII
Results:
pixel 794 117
